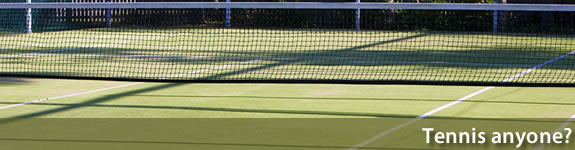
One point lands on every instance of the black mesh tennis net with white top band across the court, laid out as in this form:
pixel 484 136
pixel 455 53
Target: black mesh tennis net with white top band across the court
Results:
pixel 364 43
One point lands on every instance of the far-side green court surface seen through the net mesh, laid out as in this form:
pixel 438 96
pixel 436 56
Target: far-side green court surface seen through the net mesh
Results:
pixel 288 54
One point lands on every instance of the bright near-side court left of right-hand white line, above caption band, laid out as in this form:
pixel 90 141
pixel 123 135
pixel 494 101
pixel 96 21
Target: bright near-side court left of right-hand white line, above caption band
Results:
pixel 236 100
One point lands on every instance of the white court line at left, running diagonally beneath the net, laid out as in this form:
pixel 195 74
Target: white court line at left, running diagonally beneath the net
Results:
pixel 126 85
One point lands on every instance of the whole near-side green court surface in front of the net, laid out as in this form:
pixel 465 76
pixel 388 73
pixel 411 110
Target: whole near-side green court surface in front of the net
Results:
pixel 394 104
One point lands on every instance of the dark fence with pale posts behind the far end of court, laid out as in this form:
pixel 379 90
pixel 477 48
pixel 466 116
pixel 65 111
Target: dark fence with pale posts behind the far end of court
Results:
pixel 42 20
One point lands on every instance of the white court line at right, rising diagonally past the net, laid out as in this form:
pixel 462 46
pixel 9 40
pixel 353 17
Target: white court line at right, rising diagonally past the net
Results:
pixel 384 133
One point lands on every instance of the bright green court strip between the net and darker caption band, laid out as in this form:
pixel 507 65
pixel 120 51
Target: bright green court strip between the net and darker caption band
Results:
pixel 170 100
